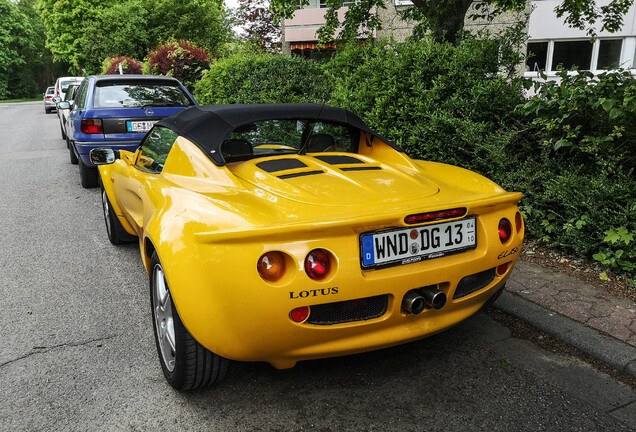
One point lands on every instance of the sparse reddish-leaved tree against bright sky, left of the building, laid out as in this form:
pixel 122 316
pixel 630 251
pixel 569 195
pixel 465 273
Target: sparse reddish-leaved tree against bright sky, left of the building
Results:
pixel 258 23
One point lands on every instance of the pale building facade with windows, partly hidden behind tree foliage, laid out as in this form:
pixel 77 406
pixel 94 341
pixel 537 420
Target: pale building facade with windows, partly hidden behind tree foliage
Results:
pixel 551 43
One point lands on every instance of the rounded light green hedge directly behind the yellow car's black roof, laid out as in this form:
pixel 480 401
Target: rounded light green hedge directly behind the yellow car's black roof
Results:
pixel 263 79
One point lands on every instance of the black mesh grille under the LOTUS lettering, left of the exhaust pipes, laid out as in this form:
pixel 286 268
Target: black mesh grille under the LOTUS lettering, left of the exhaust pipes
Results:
pixel 348 311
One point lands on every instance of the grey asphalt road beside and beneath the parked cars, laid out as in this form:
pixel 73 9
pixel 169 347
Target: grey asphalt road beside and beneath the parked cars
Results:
pixel 77 350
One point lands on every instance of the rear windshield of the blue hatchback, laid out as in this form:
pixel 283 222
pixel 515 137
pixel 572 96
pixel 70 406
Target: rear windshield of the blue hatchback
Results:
pixel 121 94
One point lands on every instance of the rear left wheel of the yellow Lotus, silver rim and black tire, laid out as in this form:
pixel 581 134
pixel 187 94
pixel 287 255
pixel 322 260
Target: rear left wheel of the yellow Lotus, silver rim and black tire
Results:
pixel 185 363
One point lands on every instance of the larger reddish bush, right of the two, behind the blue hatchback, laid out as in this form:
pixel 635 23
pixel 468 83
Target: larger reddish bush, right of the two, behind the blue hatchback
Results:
pixel 183 60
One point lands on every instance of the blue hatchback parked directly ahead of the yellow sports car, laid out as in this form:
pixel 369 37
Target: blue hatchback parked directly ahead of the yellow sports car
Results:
pixel 116 111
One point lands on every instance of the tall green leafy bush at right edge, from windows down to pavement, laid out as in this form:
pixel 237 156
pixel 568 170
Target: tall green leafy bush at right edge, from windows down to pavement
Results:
pixel 579 173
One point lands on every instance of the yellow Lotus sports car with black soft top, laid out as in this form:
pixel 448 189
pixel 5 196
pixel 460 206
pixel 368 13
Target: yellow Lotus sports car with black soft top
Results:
pixel 289 232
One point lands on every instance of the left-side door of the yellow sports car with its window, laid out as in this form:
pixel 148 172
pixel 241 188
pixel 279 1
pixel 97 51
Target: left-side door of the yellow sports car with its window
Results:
pixel 131 188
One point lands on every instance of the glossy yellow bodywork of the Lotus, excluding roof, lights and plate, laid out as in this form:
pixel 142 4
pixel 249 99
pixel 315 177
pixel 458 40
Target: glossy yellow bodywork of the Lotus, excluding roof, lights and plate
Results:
pixel 209 226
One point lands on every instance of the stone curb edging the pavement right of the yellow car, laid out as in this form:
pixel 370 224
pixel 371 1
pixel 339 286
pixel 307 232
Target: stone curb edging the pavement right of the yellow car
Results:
pixel 617 354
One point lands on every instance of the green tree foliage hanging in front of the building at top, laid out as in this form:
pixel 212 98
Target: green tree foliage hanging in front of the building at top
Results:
pixel 445 19
